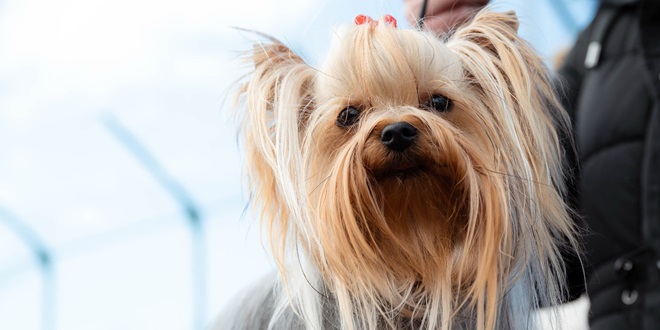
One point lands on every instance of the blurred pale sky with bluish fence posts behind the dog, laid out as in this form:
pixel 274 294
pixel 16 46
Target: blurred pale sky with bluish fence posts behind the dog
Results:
pixel 121 198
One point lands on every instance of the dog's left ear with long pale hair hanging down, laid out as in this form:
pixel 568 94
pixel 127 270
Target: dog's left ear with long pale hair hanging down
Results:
pixel 272 105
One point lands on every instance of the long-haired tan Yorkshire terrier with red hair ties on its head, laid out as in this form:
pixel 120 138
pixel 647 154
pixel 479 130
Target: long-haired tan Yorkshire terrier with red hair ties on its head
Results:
pixel 410 182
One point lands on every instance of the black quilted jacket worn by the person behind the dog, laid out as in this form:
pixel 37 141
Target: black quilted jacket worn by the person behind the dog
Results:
pixel 612 96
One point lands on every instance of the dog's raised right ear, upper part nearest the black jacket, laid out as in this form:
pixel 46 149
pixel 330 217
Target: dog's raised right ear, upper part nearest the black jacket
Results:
pixel 504 68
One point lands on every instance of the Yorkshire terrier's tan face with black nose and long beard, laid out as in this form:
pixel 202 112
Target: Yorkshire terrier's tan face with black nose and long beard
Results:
pixel 397 141
